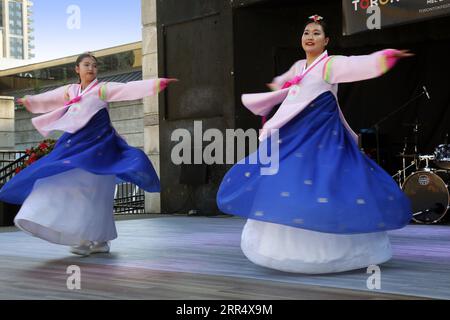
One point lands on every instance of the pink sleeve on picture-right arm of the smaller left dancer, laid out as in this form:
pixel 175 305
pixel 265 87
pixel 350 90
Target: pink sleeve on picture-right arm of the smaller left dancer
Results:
pixel 134 90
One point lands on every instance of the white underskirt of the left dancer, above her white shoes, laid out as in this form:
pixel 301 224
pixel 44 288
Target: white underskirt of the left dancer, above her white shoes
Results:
pixel 70 207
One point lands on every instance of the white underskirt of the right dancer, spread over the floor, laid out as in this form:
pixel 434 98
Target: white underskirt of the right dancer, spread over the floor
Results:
pixel 298 250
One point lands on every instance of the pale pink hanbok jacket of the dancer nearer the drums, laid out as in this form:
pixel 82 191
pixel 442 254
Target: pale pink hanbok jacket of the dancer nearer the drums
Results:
pixel 306 84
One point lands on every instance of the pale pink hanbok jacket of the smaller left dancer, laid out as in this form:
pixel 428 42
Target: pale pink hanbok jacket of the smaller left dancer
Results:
pixel 68 109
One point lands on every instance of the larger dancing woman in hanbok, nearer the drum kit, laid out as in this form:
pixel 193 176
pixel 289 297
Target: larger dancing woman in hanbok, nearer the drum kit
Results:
pixel 328 207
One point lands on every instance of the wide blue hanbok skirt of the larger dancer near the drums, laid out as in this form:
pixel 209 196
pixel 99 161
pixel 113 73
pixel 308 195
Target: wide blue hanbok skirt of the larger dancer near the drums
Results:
pixel 324 182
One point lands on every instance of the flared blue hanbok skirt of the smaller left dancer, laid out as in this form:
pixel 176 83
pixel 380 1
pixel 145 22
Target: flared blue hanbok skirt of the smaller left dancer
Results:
pixel 97 148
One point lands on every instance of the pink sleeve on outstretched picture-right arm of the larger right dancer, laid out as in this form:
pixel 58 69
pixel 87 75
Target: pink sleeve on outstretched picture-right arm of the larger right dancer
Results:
pixel 339 69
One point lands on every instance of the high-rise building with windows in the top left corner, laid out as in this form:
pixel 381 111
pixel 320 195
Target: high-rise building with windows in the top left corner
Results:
pixel 16 31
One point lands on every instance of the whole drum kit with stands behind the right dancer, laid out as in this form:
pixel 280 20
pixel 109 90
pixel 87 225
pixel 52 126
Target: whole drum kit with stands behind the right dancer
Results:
pixel 425 179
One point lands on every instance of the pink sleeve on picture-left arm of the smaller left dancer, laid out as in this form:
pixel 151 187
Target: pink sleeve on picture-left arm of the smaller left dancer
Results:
pixel 47 101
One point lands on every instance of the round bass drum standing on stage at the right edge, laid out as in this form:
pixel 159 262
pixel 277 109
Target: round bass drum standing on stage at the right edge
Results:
pixel 429 195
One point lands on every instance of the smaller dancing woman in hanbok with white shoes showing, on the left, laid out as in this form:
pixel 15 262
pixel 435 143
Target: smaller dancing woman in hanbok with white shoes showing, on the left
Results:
pixel 67 196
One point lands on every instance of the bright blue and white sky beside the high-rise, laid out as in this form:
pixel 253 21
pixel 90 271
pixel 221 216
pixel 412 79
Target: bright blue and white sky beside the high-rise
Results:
pixel 69 27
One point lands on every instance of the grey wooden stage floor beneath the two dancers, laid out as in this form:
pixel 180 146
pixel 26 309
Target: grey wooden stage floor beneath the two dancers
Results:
pixel 190 258
